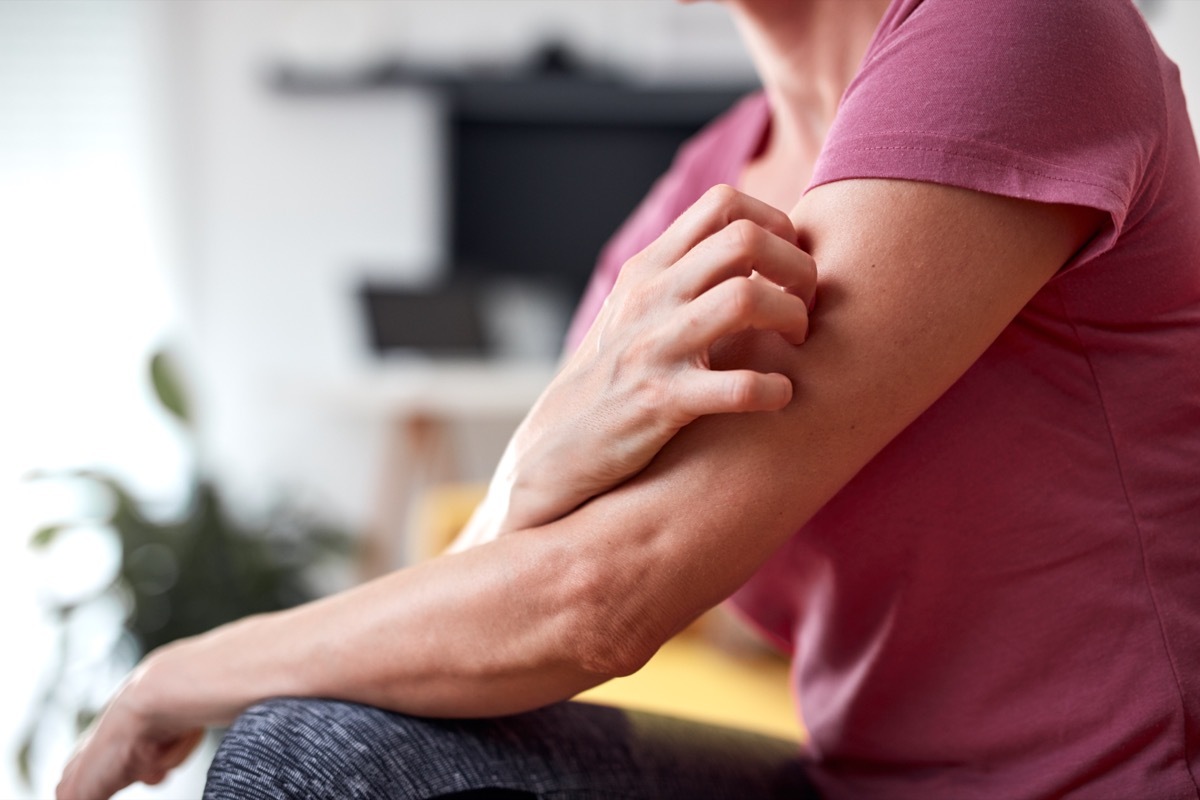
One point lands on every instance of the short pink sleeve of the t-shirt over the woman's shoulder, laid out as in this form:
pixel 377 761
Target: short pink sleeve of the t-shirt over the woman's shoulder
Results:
pixel 1057 103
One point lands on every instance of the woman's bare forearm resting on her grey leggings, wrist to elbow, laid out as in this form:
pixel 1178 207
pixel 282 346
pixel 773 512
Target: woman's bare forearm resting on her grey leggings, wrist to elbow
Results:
pixel 495 630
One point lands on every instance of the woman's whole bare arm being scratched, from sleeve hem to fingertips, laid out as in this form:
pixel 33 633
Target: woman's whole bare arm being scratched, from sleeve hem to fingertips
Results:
pixel 916 282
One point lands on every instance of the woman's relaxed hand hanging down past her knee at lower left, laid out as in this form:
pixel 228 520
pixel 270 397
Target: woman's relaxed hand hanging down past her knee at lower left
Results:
pixel 129 743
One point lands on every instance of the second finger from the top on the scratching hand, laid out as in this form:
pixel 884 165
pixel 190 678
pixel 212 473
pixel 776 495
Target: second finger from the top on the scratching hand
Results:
pixel 742 249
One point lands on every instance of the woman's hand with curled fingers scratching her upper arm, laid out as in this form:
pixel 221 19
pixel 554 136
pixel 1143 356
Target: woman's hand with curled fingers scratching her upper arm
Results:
pixel 729 264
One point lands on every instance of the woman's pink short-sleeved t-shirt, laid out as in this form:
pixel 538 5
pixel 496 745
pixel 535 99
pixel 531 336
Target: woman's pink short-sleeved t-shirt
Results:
pixel 1006 601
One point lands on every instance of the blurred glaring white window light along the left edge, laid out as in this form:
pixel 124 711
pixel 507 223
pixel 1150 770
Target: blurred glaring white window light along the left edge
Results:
pixel 83 296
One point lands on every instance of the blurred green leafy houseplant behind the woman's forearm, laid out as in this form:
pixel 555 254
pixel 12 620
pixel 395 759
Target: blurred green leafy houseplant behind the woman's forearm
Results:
pixel 177 576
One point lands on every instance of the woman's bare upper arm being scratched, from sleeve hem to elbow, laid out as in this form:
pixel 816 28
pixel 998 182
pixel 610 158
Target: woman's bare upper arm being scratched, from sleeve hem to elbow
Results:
pixel 915 282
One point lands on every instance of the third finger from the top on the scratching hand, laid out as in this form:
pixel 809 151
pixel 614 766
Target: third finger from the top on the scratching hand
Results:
pixel 739 305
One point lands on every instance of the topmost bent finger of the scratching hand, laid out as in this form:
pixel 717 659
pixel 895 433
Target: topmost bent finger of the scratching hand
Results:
pixel 713 212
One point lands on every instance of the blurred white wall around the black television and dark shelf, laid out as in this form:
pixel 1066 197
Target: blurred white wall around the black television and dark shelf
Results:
pixel 286 200
